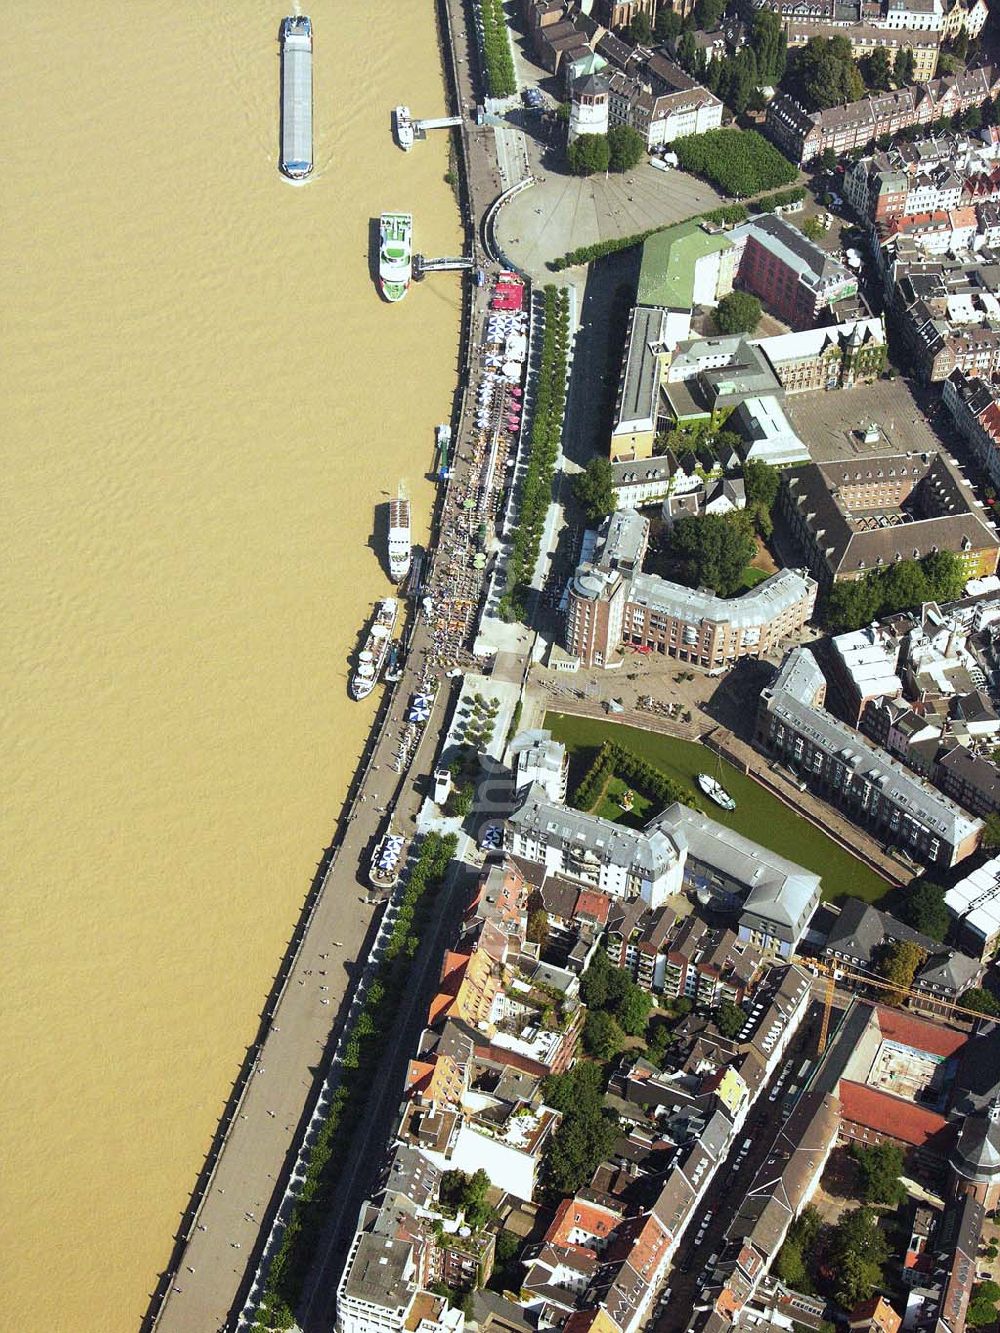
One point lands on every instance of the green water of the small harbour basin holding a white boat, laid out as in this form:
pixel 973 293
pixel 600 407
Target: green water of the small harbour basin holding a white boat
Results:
pixel 758 815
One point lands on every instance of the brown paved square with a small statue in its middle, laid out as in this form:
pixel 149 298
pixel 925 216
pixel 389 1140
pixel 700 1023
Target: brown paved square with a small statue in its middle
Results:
pixel 834 423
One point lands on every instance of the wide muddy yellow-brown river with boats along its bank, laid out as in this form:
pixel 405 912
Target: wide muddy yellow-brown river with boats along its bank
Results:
pixel 205 399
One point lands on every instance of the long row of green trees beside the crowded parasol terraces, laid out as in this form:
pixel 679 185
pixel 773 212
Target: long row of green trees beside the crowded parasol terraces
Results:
pixel 546 433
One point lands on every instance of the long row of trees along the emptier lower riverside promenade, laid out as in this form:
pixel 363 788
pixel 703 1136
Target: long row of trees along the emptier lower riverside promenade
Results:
pixel 361 1062
